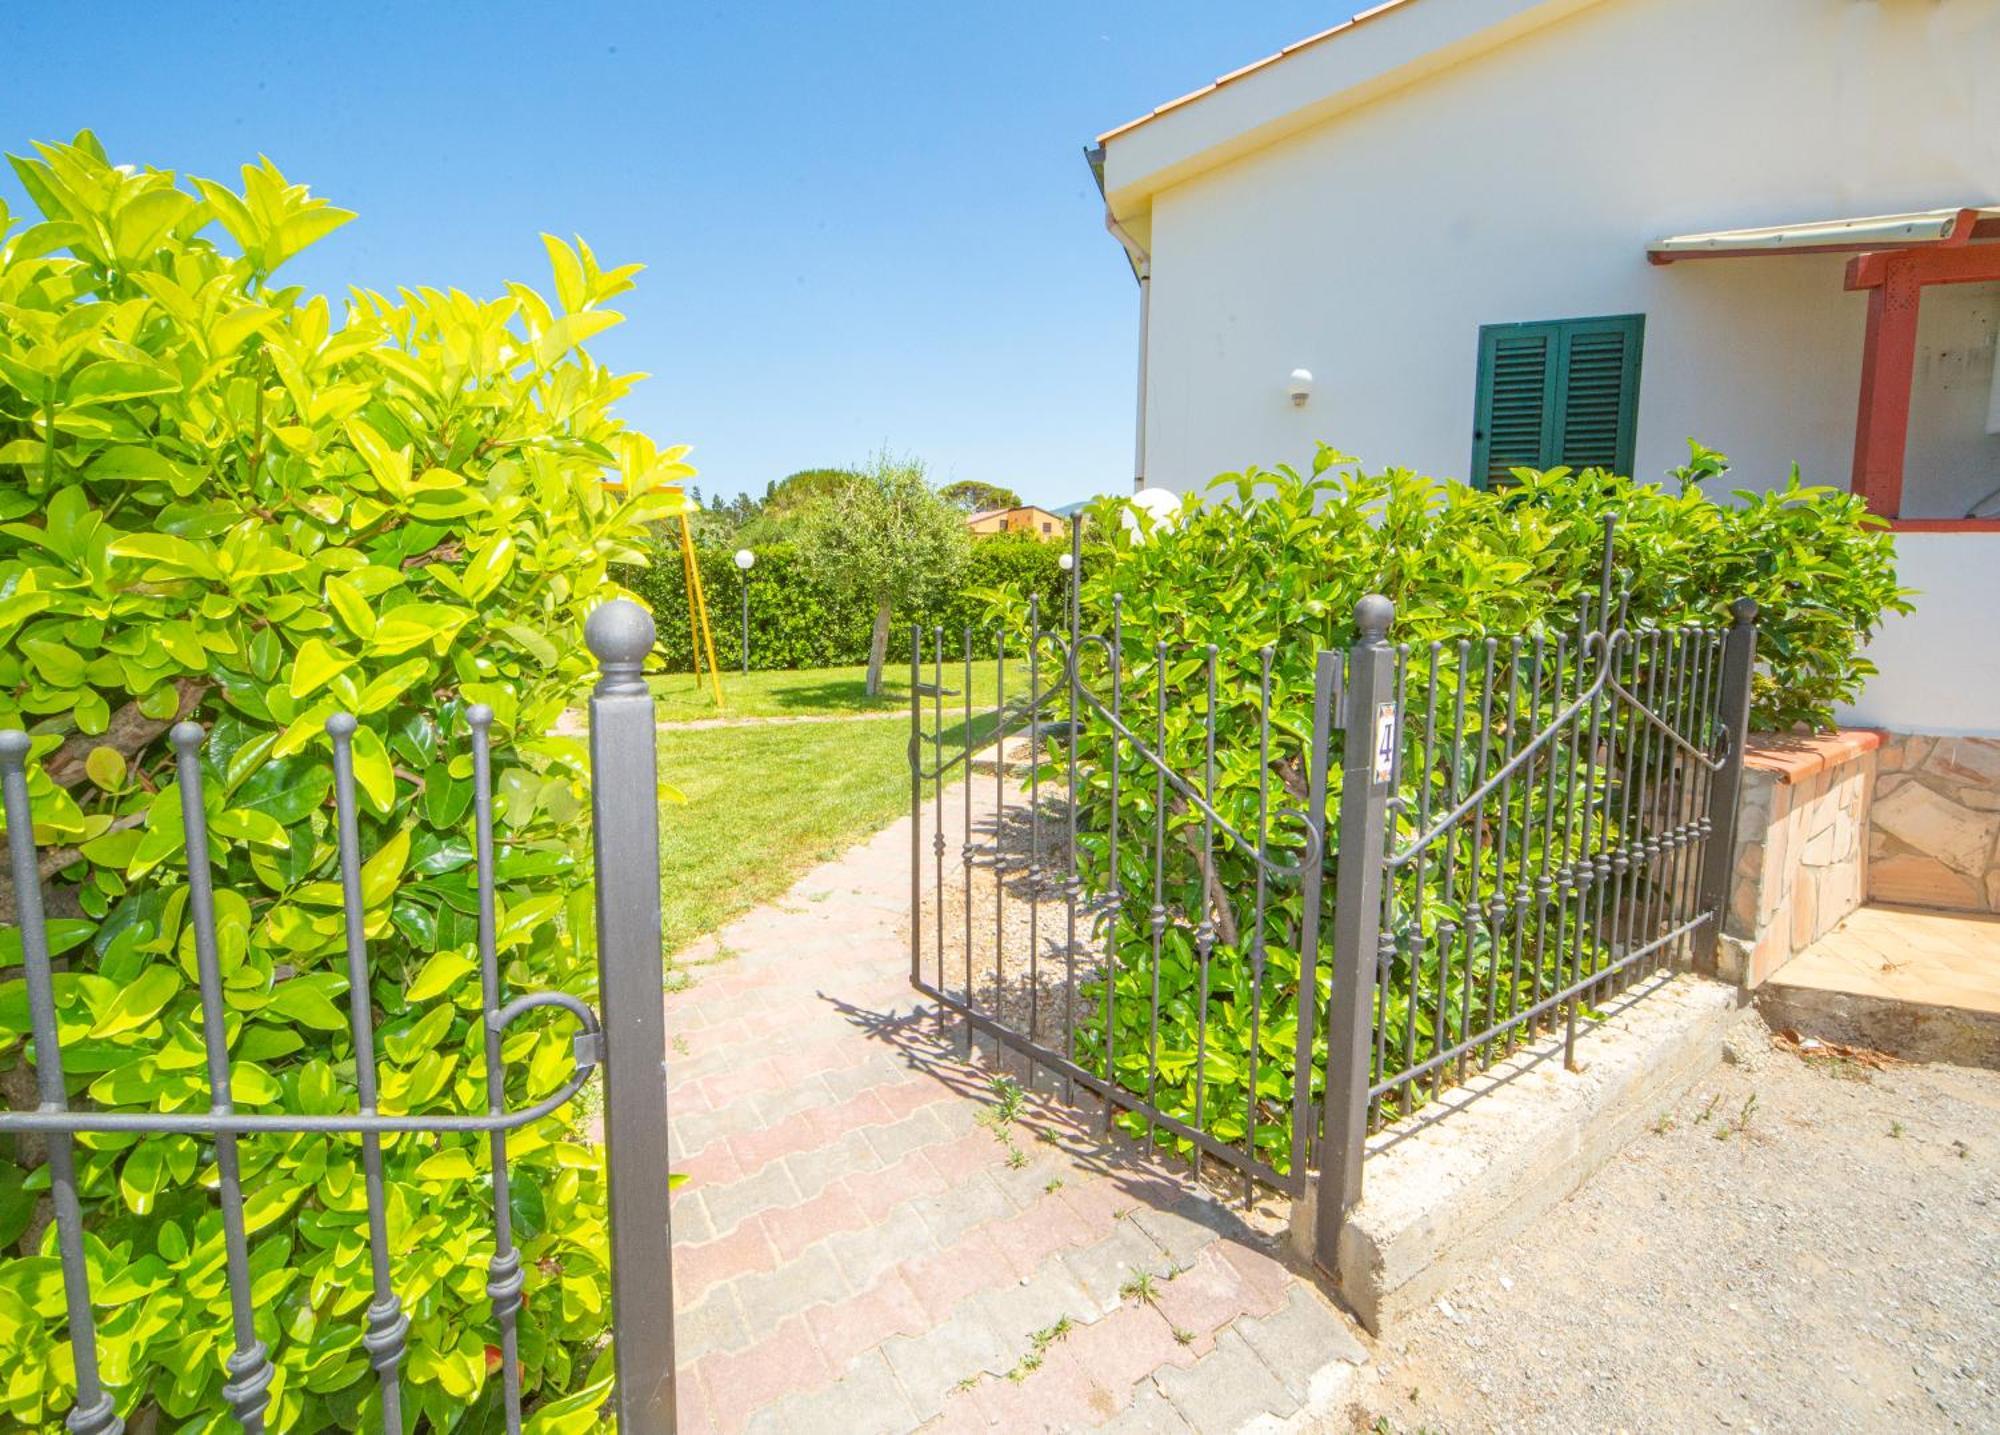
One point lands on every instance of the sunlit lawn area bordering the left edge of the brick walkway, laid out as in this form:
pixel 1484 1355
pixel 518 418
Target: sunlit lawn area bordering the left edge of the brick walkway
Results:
pixel 769 802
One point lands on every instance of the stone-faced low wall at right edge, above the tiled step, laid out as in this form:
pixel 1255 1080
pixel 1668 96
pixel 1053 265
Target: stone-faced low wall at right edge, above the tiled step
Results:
pixel 1935 828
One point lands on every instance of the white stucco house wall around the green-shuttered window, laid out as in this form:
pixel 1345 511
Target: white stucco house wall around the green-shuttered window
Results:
pixel 1525 185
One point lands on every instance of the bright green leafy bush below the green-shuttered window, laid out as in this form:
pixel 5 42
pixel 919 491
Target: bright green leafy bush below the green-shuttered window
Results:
pixel 1281 567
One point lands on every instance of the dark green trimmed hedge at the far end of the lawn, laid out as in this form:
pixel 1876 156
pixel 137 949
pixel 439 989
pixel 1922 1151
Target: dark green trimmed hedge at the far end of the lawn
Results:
pixel 799 625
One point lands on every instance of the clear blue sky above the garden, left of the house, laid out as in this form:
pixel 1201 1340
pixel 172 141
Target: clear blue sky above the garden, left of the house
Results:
pixel 863 225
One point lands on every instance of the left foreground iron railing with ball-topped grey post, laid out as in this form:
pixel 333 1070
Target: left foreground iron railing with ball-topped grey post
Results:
pixel 629 1046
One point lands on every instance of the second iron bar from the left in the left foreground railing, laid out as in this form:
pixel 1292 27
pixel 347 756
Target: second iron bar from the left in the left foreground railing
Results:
pixel 249 1366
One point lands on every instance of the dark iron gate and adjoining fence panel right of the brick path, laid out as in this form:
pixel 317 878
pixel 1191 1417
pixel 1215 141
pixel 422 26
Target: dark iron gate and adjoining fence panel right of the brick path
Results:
pixel 1525 824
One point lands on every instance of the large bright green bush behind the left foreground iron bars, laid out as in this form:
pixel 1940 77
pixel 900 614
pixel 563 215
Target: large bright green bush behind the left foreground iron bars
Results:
pixel 221 499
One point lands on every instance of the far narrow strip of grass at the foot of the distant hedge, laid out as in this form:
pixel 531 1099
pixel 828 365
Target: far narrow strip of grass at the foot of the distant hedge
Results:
pixel 831 693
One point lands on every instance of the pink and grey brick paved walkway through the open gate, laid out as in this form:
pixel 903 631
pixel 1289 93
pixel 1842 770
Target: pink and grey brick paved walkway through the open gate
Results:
pixel 865 1248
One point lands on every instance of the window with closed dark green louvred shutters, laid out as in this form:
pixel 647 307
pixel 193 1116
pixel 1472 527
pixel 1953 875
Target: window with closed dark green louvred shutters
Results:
pixel 1561 393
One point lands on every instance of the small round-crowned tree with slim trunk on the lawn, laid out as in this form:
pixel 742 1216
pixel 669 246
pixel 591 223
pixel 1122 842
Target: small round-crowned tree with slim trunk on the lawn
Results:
pixel 887 537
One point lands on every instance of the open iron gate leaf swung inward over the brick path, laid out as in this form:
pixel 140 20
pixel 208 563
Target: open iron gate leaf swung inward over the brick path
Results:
pixel 1093 910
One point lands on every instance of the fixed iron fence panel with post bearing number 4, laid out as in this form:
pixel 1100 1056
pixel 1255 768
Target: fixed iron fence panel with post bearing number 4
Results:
pixel 1525 826
